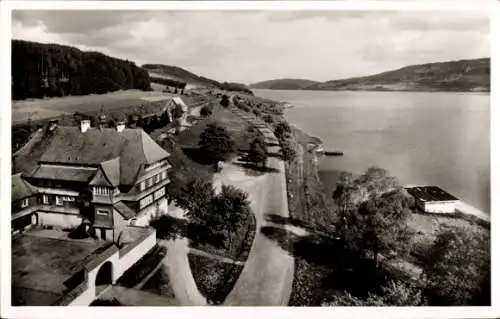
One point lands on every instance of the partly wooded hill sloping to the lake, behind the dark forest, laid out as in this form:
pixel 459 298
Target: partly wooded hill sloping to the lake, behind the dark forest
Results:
pixel 161 72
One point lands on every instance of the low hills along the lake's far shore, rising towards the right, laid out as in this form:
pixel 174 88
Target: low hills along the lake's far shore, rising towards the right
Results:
pixel 459 76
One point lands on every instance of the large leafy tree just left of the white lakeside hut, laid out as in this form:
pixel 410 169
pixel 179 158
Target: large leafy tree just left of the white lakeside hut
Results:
pixel 373 213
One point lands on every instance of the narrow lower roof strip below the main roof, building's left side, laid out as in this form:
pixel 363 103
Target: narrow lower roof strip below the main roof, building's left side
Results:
pixel 64 173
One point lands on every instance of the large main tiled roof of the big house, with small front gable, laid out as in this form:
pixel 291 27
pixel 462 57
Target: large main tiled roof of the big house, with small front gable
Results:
pixel 122 155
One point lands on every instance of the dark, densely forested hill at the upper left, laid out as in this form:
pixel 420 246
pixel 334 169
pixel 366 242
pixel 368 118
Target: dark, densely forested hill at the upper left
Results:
pixel 40 69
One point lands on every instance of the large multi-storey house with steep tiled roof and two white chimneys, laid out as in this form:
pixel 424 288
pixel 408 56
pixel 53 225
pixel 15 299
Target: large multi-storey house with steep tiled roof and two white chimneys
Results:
pixel 106 177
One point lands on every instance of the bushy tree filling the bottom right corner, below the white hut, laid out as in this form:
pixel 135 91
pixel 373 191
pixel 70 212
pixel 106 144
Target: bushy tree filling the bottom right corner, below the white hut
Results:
pixel 458 268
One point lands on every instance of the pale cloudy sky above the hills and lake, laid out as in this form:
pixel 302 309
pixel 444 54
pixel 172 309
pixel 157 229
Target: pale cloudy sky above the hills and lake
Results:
pixel 251 46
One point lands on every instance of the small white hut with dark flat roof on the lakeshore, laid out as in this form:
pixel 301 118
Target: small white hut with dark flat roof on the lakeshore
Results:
pixel 432 199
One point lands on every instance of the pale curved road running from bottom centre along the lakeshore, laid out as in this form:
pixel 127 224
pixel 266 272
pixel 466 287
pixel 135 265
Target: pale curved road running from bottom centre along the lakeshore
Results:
pixel 266 279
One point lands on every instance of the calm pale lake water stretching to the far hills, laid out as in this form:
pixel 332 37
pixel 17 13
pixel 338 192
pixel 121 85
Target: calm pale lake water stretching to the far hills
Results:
pixel 422 138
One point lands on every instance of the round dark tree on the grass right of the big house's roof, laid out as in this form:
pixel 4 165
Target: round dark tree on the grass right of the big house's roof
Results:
pixel 216 143
